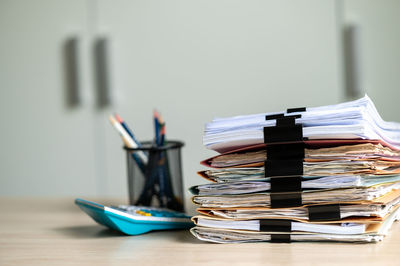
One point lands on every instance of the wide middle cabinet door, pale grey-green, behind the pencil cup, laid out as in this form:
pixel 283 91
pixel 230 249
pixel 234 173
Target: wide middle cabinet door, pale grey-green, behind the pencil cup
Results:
pixel 194 60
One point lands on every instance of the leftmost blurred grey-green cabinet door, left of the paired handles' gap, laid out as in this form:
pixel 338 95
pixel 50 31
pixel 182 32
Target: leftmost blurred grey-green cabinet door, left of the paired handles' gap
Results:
pixel 47 145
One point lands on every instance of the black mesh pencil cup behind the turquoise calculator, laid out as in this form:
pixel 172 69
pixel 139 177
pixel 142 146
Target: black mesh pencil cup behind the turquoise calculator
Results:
pixel 155 175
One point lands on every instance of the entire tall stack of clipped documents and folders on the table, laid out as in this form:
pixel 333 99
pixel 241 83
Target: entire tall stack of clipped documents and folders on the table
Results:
pixel 336 179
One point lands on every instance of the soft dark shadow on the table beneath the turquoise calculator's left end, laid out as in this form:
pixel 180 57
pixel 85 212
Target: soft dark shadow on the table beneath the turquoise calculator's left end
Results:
pixel 89 231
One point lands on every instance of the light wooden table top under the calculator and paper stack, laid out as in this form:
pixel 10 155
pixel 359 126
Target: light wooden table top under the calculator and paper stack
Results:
pixel 55 232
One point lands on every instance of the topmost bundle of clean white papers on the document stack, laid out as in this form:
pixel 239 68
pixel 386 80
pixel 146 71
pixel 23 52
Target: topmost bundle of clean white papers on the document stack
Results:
pixel 351 120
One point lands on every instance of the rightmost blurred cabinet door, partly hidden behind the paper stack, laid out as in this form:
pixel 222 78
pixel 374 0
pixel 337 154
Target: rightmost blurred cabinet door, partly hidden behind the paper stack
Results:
pixel 379 42
